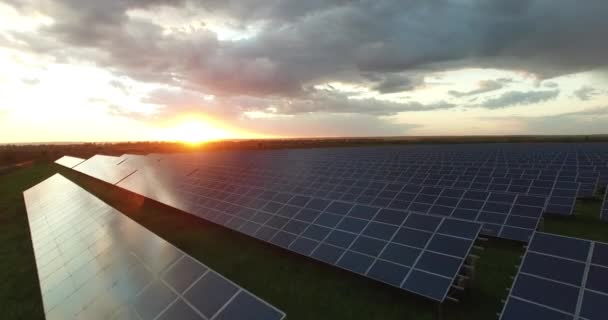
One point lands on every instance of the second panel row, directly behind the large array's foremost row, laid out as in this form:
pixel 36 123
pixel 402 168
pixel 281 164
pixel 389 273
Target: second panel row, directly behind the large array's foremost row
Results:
pixel 503 215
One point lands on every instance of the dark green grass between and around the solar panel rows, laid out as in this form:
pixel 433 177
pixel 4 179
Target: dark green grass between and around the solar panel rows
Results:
pixel 303 288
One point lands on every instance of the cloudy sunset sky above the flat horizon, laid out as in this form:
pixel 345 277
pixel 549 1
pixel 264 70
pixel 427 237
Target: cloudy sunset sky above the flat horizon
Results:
pixel 126 70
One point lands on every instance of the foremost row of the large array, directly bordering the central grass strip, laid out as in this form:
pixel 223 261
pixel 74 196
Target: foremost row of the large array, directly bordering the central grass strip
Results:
pixel 418 253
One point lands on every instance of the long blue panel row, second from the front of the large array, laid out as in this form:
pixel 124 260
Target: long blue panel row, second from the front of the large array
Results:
pixel 503 215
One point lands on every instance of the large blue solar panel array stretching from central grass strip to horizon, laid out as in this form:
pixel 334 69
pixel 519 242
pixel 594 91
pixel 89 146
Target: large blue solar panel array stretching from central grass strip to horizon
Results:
pixel 379 211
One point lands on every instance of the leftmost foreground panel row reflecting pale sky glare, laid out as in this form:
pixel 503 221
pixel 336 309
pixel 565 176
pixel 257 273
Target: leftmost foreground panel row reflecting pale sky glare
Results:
pixel 95 263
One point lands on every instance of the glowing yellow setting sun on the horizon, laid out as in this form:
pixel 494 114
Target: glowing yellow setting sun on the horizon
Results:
pixel 194 132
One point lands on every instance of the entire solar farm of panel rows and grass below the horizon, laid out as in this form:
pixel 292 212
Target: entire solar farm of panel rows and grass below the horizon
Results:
pixel 460 231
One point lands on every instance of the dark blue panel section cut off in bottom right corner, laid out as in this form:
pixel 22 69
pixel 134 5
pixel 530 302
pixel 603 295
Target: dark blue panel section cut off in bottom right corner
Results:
pixel 560 278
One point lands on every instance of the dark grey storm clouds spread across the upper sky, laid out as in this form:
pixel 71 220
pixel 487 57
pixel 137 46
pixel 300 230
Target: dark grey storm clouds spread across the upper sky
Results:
pixel 302 43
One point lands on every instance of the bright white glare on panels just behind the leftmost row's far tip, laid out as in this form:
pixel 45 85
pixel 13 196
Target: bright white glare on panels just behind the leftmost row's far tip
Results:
pixel 105 168
